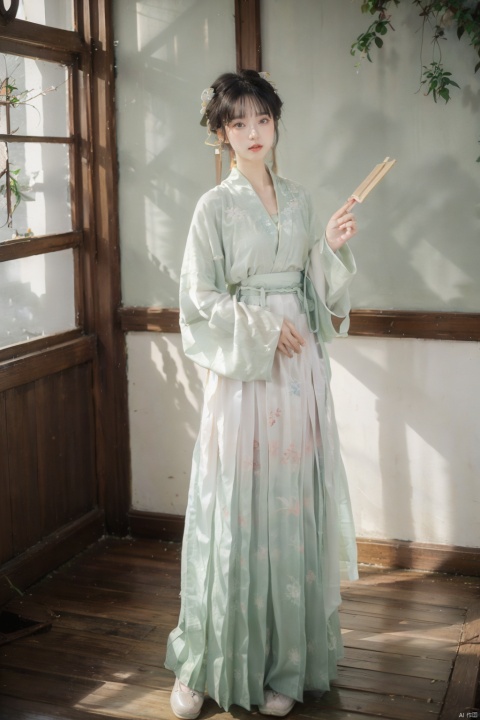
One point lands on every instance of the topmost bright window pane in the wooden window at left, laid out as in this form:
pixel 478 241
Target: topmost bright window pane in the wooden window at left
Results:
pixel 37 94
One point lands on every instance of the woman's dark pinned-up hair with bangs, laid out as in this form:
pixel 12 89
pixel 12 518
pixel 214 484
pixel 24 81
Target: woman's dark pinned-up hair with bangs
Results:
pixel 233 90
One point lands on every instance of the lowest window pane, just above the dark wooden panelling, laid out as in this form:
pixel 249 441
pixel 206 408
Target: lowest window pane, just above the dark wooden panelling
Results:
pixel 36 297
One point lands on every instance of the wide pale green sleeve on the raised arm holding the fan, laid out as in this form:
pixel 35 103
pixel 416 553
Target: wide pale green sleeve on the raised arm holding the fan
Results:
pixel 330 273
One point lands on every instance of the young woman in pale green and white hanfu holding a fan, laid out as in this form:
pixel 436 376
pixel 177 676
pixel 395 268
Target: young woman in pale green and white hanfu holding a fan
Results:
pixel 268 521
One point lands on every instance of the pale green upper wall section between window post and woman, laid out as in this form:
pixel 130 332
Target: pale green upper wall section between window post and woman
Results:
pixel 164 60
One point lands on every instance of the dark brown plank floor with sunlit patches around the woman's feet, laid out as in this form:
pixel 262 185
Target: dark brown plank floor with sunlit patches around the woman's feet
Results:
pixel 113 607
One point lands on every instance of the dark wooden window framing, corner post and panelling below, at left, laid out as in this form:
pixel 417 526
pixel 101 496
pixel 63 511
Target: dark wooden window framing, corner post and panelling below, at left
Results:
pixel 64 441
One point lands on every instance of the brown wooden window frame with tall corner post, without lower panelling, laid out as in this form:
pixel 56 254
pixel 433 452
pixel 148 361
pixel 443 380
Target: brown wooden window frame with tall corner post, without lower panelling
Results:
pixel 88 51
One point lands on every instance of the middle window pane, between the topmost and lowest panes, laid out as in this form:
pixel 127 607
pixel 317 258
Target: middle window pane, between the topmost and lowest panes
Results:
pixel 42 176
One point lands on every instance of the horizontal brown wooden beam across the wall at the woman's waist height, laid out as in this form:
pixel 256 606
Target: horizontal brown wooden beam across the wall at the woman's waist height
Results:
pixel 369 323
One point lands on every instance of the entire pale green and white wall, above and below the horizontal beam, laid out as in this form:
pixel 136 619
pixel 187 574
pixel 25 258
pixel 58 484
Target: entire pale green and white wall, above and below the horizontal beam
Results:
pixel 407 410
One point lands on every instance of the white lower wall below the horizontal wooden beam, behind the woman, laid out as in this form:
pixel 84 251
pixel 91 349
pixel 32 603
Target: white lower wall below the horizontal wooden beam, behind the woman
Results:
pixel 407 413
